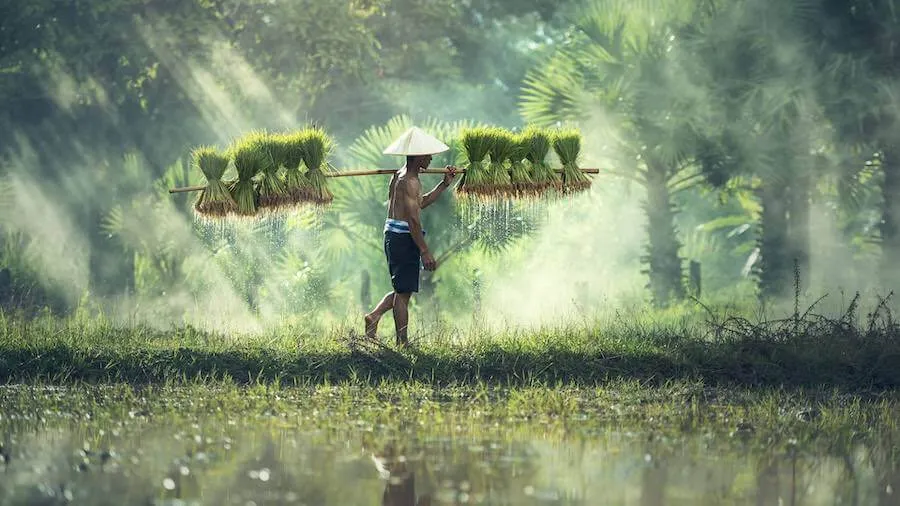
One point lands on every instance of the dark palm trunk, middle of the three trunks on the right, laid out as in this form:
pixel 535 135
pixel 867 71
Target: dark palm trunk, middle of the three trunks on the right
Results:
pixel 775 269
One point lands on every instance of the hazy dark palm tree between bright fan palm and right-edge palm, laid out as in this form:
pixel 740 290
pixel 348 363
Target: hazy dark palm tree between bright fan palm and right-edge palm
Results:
pixel 764 124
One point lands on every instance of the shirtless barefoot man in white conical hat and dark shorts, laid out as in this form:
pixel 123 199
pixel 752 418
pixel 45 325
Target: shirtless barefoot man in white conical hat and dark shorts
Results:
pixel 404 239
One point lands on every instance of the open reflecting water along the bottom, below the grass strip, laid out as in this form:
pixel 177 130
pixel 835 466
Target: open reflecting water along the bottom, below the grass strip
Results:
pixel 275 463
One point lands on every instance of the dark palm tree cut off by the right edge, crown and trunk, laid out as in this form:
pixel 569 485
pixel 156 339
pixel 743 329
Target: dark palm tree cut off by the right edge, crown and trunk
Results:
pixel 856 45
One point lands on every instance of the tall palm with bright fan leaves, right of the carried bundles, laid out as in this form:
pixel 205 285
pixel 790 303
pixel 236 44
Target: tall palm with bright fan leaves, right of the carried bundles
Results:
pixel 619 62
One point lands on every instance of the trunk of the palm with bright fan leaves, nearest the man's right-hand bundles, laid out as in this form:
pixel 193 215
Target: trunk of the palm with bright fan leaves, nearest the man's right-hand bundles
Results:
pixel 664 264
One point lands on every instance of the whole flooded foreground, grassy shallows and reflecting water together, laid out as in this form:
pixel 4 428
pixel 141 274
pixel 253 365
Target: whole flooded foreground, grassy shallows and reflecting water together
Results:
pixel 103 446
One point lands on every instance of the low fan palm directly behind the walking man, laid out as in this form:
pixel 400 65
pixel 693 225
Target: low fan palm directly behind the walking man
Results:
pixel 356 217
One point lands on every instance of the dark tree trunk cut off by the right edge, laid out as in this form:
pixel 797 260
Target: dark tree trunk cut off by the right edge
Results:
pixel 890 215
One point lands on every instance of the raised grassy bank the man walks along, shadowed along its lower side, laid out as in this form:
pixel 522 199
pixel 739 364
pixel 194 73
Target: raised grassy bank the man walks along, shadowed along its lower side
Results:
pixel 803 351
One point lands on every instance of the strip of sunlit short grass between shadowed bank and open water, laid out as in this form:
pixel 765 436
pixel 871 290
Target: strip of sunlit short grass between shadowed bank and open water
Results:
pixel 674 406
